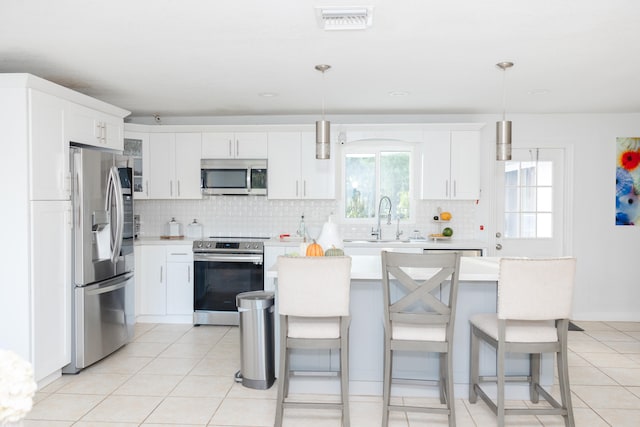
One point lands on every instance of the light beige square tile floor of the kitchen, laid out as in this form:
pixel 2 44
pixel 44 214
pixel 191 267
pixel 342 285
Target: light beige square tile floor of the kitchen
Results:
pixel 183 375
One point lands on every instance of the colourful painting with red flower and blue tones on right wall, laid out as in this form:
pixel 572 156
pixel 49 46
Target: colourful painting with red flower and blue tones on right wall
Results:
pixel 627 181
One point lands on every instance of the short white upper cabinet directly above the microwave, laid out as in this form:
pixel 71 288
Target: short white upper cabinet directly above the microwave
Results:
pixel 238 145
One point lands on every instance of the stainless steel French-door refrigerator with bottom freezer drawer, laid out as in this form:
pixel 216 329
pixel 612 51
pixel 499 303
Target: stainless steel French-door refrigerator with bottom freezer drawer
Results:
pixel 103 260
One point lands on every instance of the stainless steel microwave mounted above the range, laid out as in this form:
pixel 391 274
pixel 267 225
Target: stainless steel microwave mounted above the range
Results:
pixel 234 177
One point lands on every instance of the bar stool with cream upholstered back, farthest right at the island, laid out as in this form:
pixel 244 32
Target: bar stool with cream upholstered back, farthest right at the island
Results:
pixel 534 305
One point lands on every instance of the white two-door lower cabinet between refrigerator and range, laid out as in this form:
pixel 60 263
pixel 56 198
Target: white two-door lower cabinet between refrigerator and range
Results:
pixel 164 283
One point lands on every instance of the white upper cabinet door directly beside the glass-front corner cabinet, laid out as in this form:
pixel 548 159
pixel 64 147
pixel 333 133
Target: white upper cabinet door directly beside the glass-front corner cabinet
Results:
pixel 161 165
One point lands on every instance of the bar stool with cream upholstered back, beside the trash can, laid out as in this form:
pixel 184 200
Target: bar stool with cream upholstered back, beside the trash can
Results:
pixel 313 303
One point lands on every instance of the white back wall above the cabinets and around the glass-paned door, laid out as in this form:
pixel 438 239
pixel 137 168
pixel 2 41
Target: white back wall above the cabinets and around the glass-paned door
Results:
pixel 608 283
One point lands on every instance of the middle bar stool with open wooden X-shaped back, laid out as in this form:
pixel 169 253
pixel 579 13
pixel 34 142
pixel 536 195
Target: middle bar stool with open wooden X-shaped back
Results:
pixel 419 317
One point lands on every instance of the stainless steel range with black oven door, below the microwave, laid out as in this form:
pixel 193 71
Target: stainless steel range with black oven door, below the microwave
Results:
pixel 224 267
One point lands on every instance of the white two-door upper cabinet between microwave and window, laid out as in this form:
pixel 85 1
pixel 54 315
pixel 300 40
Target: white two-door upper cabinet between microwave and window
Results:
pixel 294 172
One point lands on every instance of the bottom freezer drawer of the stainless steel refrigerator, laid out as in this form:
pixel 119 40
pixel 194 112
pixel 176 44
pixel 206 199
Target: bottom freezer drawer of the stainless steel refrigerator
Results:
pixel 104 319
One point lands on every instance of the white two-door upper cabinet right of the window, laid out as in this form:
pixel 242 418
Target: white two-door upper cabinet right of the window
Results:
pixel 450 165
